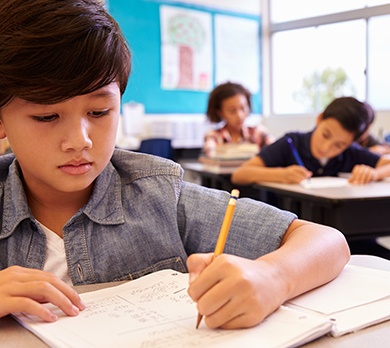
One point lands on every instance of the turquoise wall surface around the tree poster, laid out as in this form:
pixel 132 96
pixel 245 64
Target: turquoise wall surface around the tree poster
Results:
pixel 140 22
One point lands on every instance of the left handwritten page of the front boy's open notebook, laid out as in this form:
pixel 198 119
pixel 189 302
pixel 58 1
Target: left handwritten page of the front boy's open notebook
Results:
pixel 155 311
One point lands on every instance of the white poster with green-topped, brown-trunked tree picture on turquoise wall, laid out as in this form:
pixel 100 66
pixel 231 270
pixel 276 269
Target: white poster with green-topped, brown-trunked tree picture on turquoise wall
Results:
pixel 186 49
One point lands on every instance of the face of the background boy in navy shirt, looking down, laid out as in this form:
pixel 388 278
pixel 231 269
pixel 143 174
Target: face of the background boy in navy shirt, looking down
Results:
pixel 329 139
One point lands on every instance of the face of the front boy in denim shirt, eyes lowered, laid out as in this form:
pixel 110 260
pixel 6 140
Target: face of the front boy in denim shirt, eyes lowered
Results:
pixel 63 147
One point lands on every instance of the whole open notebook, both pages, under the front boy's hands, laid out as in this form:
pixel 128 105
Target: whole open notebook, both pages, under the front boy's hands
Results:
pixel 155 311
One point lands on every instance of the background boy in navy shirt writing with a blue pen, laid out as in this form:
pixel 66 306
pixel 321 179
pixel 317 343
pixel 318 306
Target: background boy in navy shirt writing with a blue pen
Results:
pixel 326 151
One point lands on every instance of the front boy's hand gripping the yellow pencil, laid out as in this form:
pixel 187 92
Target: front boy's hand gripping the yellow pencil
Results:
pixel 233 292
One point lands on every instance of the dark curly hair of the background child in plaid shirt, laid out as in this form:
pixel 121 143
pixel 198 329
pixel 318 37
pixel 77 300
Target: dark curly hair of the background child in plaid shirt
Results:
pixel 222 92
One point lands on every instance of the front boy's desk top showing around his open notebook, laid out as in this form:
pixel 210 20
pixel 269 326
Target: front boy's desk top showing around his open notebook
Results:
pixel 14 336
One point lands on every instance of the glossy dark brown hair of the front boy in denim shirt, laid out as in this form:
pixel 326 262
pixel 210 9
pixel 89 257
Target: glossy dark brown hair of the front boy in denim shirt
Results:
pixel 53 50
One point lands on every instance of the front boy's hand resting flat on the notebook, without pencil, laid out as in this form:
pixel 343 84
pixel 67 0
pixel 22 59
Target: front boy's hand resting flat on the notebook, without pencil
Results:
pixel 24 290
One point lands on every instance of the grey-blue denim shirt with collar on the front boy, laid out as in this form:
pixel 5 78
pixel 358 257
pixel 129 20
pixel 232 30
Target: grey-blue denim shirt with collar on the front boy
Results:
pixel 141 217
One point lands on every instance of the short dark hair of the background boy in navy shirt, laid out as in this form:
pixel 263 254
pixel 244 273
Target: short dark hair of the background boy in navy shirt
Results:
pixel 352 114
